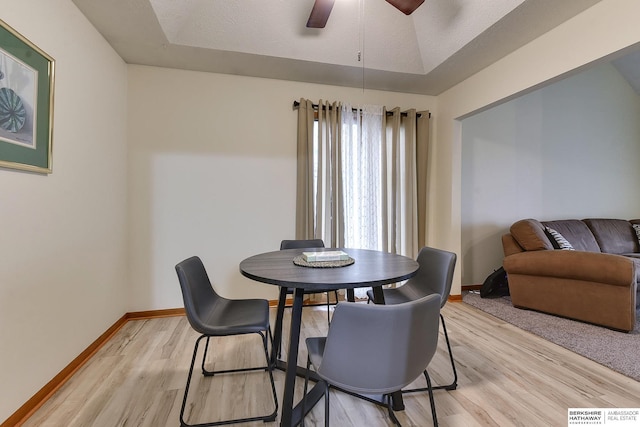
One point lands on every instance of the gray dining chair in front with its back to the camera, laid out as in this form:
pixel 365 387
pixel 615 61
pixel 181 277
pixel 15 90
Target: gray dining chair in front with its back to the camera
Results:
pixel 376 350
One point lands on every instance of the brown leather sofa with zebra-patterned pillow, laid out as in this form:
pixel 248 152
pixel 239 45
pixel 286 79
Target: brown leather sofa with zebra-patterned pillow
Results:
pixel 595 279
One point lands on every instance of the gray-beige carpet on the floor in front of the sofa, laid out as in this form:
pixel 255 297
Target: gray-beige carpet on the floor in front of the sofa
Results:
pixel 617 350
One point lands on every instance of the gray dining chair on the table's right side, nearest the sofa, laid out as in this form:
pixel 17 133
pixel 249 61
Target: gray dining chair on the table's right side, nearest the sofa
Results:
pixel 435 276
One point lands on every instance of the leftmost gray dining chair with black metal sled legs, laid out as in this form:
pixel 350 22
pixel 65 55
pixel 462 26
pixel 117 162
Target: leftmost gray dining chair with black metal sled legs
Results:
pixel 212 315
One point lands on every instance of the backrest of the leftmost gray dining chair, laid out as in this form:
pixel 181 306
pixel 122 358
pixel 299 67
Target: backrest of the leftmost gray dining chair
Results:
pixel 197 293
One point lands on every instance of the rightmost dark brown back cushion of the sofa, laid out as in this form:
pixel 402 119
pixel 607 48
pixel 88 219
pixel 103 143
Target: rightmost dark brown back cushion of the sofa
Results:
pixel 614 236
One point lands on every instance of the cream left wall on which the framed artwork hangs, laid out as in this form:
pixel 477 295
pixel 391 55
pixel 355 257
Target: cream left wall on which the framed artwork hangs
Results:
pixel 63 259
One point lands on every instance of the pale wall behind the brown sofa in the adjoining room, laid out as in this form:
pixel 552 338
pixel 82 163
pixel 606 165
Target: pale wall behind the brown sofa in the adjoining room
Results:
pixel 569 150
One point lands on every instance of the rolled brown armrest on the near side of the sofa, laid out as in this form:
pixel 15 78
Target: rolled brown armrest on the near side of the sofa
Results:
pixel 576 265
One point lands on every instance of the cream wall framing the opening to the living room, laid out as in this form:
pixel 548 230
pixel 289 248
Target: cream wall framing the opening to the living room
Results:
pixel 600 31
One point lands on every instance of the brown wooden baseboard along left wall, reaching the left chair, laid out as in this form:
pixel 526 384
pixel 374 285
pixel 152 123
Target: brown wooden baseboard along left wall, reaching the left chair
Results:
pixel 39 399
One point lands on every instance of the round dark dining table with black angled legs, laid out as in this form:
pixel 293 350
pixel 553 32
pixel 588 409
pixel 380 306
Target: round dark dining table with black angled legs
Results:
pixel 370 269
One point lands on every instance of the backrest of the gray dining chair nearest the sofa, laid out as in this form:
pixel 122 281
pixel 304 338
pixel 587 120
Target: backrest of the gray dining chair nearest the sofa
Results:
pixel 435 274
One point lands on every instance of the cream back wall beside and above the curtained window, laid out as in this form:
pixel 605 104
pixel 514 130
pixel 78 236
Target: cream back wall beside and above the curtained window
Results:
pixel 212 173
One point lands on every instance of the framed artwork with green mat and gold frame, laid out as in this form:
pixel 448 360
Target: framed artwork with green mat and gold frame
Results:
pixel 26 103
